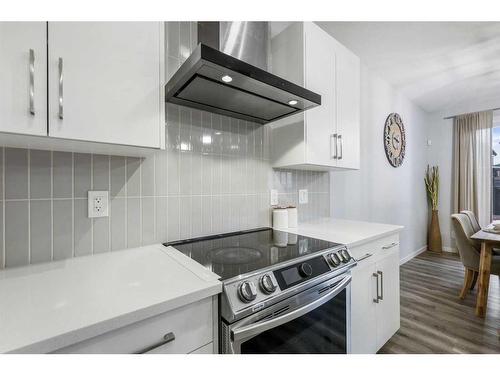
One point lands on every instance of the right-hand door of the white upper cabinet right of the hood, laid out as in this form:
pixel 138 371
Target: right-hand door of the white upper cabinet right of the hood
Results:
pixel 348 108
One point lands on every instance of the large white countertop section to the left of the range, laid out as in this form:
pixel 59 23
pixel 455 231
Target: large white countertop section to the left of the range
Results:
pixel 49 306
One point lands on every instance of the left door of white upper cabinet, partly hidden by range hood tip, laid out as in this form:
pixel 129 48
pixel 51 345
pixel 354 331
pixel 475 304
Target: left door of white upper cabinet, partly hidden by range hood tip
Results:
pixel 320 78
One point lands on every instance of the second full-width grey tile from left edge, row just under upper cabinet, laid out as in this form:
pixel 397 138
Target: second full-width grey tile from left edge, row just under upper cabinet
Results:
pixel 40 174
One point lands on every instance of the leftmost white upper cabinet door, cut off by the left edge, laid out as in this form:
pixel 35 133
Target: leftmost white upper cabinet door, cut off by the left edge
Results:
pixel 23 77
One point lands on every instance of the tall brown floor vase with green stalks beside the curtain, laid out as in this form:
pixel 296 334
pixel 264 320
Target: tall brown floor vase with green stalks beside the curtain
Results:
pixel 434 242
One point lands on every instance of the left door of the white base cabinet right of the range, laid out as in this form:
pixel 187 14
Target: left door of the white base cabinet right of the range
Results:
pixel 363 309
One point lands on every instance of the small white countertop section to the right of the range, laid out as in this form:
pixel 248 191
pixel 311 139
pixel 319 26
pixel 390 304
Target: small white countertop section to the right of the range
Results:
pixel 348 232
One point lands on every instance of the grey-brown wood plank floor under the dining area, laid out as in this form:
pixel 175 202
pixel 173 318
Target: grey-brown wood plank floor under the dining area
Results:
pixel 434 319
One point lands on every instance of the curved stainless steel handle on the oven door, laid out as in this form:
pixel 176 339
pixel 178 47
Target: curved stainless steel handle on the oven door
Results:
pixel 239 334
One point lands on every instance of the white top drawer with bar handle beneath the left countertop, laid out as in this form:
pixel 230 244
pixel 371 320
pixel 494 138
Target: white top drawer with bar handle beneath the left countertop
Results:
pixel 192 326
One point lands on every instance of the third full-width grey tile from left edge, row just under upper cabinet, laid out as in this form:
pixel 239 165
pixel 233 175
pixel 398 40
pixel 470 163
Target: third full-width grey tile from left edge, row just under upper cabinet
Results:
pixel 62 170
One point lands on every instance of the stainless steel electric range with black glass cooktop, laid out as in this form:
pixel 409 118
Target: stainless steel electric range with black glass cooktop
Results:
pixel 282 292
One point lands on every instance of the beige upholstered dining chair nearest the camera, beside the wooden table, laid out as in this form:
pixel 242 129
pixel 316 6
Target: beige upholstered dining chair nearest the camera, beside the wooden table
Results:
pixel 469 252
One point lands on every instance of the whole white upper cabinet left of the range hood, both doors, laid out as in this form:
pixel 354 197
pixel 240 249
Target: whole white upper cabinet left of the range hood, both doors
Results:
pixel 100 88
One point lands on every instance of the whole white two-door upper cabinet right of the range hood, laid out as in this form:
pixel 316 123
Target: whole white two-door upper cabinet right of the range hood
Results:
pixel 325 137
